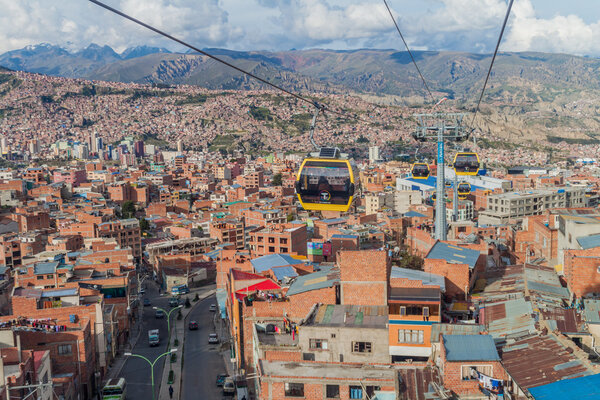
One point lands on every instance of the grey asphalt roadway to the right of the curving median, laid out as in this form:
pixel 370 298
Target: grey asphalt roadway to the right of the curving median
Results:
pixel 202 361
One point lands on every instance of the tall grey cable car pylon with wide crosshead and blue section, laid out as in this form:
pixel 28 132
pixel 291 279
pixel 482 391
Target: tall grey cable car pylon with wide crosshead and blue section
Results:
pixel 440 127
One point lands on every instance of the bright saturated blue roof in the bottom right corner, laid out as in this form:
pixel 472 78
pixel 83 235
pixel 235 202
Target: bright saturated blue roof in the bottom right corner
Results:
pixel 585 387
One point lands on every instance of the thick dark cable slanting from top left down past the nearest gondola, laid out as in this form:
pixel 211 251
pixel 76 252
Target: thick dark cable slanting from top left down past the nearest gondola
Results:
pixel 319 106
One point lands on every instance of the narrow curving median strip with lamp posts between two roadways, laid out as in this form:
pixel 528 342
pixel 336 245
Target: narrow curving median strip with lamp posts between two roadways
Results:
pixel 179 326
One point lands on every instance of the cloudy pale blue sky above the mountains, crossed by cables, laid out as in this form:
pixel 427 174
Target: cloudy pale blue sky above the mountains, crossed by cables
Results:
pixel 556 26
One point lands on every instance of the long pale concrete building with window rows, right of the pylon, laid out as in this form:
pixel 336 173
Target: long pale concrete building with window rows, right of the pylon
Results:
pixel 514 206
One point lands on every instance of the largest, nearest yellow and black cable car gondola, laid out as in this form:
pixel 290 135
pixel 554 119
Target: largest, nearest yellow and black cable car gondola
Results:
pixel 326 182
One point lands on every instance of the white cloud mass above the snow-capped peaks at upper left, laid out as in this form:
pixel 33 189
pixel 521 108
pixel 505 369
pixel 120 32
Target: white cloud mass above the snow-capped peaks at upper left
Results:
pixel 78 23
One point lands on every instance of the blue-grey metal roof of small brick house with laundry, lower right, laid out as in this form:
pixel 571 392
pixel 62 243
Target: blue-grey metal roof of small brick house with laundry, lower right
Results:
pixel 470 348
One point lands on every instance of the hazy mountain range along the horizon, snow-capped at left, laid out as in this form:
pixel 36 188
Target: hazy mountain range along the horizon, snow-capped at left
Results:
pixel 531 76
